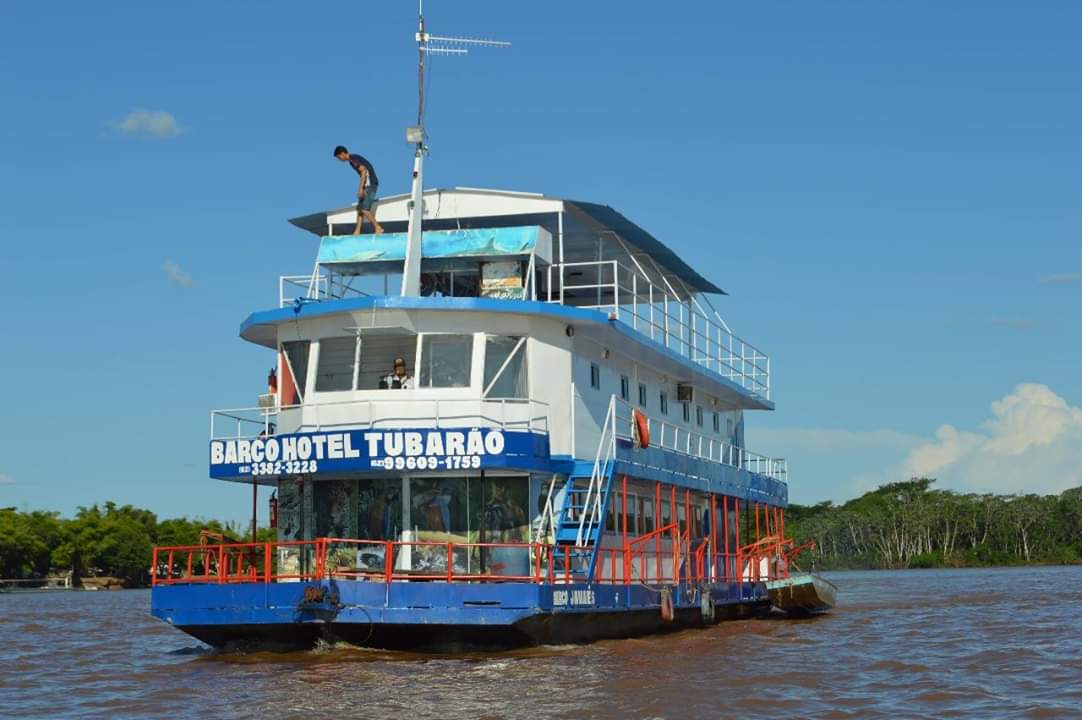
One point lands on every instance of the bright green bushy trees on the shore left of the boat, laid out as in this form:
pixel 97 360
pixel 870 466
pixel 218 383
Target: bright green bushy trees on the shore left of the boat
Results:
pixel 107 541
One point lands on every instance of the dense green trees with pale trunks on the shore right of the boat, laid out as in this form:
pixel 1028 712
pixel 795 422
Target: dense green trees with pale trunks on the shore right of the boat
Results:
pixel 914 525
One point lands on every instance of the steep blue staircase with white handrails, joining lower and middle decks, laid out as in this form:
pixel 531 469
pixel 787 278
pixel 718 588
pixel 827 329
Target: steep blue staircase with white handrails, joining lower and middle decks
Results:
pixel 587 498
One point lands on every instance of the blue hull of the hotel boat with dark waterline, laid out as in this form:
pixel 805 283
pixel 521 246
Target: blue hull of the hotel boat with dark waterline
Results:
pixel 438 617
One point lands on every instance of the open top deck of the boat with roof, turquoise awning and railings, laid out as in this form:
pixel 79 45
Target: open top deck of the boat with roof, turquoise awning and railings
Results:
pixel 520 246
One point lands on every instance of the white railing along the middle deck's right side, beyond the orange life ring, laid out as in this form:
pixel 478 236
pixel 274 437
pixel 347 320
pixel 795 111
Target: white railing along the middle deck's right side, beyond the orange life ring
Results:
pixel 671 437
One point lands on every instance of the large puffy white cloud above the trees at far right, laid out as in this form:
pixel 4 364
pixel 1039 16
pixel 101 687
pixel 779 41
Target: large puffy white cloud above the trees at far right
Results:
pixel 1033 443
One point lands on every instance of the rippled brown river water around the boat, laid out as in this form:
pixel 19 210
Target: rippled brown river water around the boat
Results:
pixel 979 644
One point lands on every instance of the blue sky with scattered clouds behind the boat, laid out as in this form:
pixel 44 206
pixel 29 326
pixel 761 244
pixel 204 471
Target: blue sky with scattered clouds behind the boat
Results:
pixel 890 192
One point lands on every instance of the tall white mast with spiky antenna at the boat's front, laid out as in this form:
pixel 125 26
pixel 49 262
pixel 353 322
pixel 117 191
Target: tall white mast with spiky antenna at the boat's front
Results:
pixel 427 45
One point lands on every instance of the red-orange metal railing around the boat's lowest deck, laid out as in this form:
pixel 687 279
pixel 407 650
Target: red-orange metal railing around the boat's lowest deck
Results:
pixel 685 561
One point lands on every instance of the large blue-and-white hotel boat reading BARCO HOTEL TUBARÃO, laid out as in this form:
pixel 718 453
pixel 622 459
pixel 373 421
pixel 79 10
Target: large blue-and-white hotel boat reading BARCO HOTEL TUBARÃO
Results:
pixel 511 420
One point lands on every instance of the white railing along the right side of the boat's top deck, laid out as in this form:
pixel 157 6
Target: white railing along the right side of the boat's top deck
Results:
pixel 657 312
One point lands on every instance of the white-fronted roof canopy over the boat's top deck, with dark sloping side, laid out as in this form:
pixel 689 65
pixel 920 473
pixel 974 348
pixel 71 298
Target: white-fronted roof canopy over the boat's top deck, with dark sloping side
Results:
pixel 481 203
